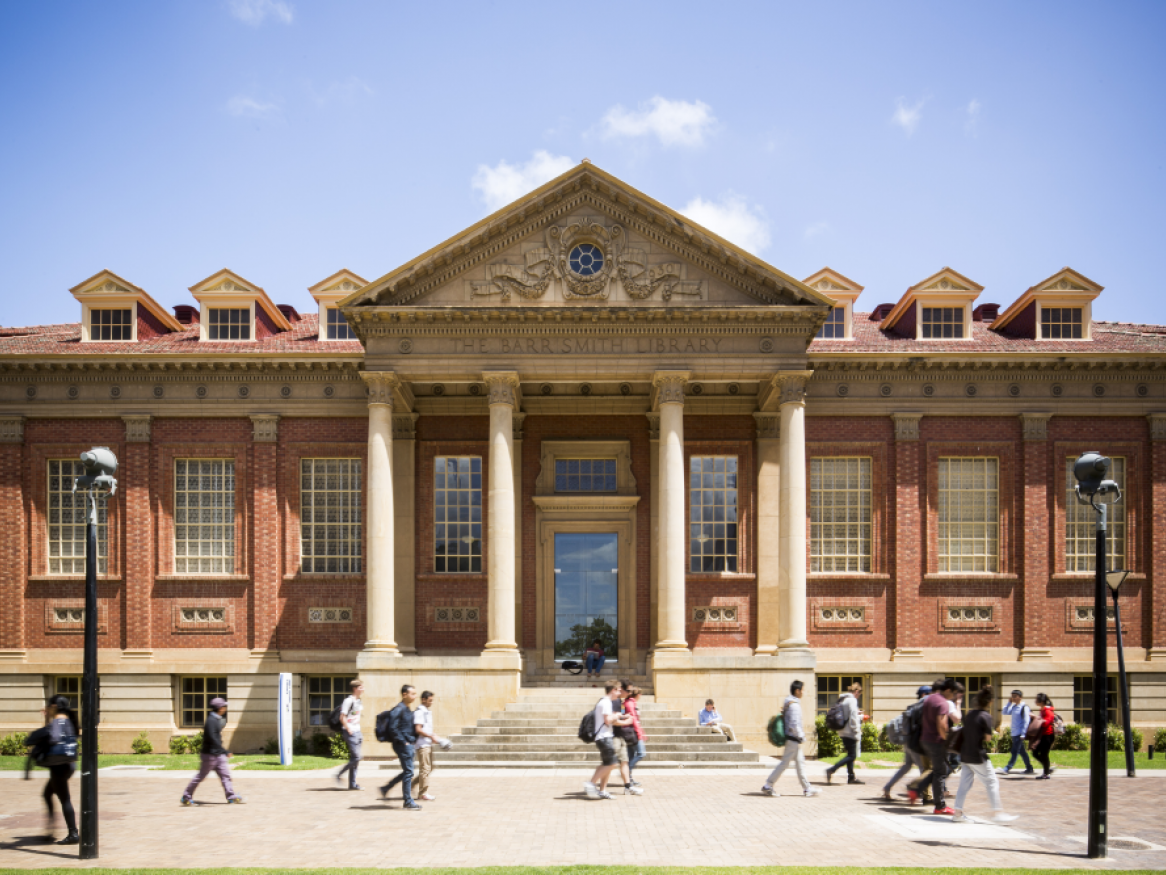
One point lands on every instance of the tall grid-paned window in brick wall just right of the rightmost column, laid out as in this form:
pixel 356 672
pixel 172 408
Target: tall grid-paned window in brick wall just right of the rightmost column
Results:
pixel 840 515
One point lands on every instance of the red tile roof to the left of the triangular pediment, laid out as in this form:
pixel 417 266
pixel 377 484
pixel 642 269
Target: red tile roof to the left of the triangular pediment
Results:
pixel 65 340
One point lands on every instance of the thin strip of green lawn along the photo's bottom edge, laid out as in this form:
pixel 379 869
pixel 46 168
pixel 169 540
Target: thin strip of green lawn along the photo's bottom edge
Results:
pixel 599 871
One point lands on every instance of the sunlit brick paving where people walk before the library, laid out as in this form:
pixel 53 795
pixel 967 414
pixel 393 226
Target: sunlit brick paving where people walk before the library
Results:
pixel 542 817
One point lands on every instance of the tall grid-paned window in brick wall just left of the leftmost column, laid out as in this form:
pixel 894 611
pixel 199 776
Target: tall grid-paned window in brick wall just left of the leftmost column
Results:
pixel 331 516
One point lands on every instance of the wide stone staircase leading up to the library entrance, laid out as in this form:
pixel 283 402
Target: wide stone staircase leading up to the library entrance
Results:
pixel 539 731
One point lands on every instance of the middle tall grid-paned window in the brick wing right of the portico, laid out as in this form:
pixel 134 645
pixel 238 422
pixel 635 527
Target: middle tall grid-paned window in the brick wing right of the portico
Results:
pixel 968 515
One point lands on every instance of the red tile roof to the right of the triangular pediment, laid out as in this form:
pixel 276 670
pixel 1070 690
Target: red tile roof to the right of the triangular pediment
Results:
pixel 1107 338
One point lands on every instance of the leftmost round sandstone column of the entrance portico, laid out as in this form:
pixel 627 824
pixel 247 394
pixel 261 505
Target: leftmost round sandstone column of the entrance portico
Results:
pixel 380 573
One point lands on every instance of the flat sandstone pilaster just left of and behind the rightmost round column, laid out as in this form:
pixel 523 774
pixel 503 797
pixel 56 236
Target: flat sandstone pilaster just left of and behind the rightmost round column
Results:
pixel 769 528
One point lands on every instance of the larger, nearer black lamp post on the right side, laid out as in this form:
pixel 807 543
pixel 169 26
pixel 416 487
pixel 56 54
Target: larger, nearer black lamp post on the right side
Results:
pixel 1095 491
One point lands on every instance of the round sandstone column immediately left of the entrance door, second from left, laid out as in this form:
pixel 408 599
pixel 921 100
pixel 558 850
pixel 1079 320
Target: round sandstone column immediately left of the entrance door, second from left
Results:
pixel 503 388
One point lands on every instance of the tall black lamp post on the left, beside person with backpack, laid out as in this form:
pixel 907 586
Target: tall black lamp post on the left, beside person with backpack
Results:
pixel 99 482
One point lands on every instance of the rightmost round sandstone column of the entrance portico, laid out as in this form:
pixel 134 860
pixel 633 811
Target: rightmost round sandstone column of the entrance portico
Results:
pixel 792 548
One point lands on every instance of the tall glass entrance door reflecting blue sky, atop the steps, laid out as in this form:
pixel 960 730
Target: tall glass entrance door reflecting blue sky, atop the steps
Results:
pixel 587 573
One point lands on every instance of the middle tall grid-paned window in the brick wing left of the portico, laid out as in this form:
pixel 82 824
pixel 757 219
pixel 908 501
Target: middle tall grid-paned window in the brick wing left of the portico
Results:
pixel 205 516
